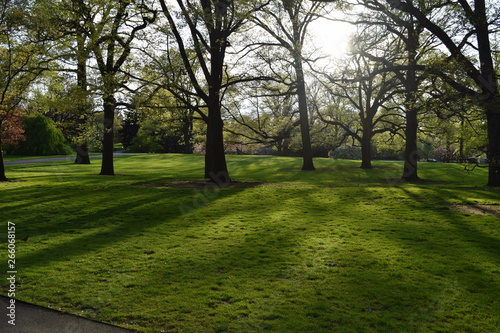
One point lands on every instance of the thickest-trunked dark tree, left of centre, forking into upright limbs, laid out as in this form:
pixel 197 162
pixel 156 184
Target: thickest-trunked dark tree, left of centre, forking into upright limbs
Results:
pixel 203 46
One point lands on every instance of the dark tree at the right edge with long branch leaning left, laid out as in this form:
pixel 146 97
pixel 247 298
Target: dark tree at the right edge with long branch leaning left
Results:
pixel 475 20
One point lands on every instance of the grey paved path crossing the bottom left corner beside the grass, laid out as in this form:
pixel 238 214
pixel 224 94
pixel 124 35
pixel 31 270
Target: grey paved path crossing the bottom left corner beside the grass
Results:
pixel 30 318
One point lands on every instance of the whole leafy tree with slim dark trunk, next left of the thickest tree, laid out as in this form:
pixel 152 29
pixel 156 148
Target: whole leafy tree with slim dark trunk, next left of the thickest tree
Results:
pixel 111 29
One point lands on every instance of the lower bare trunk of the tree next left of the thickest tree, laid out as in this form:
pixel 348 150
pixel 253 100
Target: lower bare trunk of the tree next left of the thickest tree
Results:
pixel 107 167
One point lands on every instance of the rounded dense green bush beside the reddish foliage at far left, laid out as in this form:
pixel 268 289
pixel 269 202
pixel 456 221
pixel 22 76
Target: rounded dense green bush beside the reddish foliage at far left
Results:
pixel 42 138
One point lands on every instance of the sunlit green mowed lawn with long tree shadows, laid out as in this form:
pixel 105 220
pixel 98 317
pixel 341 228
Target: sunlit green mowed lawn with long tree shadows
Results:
pixel 336 250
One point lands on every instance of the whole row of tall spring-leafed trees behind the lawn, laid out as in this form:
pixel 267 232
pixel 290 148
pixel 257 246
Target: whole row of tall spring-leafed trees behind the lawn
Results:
pixel 224 72
